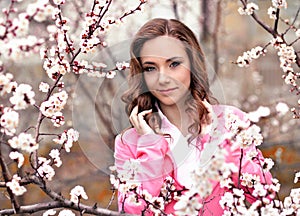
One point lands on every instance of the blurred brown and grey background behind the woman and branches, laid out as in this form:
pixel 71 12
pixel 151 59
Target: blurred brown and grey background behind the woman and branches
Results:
pixel 94 107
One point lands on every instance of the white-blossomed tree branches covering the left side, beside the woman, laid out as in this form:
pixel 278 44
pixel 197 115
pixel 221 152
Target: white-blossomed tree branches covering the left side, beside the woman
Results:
pixel 62 53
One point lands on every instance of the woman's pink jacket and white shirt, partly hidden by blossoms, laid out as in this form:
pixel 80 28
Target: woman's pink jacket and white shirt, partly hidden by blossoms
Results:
pixel 160 157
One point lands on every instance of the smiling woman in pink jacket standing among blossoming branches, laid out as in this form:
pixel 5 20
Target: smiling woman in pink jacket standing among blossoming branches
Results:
pixel 173 125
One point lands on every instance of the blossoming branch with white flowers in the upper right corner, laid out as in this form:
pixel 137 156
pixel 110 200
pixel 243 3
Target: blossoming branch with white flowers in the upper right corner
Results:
pixel 285 43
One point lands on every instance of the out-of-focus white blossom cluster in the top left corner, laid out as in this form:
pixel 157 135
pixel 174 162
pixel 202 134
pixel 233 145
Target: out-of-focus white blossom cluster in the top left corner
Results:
pixel 15 41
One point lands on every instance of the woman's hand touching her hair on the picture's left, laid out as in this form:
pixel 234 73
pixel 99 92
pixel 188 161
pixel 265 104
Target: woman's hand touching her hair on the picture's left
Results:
pixel 138 121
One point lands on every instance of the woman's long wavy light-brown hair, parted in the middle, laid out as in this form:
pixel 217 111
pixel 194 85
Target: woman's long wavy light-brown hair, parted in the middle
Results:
pixel 138 93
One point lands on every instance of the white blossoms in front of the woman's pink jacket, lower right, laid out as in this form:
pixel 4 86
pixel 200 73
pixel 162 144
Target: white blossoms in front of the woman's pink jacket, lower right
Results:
pixel 190 201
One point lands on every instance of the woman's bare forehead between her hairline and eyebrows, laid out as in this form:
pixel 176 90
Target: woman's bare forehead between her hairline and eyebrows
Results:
pixel 163 47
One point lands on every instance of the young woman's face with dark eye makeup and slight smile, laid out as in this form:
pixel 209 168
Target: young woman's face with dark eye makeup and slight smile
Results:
pixel 166 69
